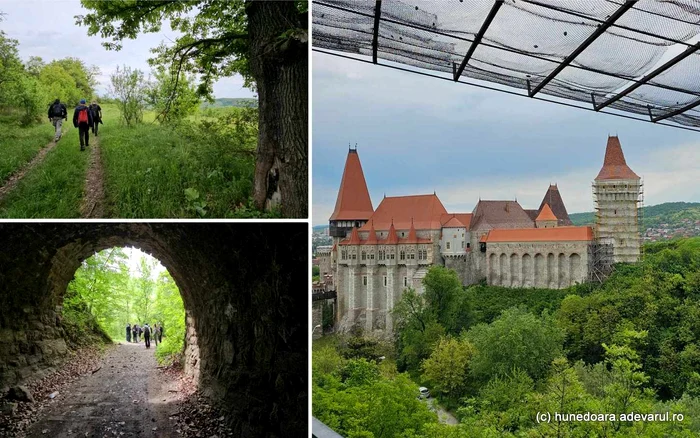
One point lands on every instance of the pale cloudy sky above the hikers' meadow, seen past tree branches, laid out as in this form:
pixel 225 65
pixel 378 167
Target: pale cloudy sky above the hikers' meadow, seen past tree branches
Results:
pixel 47 28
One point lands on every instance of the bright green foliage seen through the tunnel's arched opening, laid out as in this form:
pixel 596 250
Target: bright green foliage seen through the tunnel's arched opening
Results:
pixel 113 288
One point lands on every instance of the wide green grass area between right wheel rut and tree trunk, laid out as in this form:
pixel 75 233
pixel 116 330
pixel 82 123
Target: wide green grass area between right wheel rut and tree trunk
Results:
pixel 153 171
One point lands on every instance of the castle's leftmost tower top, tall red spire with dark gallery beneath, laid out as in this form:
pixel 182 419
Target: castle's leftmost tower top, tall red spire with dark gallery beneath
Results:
pixel 353 207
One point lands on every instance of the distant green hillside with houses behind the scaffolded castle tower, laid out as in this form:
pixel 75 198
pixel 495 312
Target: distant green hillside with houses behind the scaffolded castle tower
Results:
pixel 670 219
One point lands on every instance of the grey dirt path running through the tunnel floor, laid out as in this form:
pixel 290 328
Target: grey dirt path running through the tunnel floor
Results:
pixel 127 397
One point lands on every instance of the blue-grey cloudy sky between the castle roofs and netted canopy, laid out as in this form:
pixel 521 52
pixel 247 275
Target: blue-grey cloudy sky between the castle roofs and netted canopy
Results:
pixel 416 135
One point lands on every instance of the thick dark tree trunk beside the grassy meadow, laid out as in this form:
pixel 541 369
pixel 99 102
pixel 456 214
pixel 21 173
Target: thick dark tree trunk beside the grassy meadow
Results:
pixel 279 63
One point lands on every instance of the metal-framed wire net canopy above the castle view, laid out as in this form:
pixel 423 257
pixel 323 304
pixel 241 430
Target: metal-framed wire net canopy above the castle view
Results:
pixel 637 57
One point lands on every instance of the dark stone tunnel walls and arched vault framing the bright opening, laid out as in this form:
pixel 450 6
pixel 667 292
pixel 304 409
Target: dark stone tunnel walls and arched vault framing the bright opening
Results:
pixel 244 288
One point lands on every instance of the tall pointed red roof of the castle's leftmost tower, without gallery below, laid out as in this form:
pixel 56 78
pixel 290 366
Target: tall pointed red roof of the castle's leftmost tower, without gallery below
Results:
pixel 353 201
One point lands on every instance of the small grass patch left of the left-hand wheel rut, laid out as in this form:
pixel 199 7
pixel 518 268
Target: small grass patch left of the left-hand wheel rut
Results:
pixel 19 145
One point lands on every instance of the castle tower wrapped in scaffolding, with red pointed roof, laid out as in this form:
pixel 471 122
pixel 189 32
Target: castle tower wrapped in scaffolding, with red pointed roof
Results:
pixel 617 190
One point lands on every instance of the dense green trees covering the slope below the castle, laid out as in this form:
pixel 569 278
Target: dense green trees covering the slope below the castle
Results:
pixel 495 357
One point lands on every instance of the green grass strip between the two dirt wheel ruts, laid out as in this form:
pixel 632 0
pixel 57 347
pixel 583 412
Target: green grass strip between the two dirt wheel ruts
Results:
pixel 54 189
